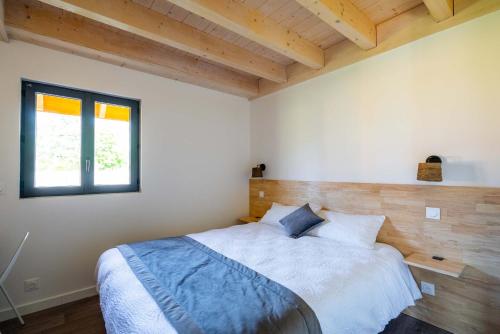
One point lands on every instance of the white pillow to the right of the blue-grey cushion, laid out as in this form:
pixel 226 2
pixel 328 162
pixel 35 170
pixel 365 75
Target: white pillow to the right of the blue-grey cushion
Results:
pixel 354 230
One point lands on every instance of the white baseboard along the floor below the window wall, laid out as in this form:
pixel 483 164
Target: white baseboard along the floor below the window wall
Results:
pixel 49 302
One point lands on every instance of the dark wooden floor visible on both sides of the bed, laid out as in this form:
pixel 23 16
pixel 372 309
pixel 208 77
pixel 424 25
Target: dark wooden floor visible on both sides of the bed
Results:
pixel 84 316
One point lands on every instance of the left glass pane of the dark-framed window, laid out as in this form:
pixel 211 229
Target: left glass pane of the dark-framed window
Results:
pixel 58 141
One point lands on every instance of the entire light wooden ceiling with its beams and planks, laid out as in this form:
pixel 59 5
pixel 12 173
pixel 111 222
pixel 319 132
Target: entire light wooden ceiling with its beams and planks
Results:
pixel 244 47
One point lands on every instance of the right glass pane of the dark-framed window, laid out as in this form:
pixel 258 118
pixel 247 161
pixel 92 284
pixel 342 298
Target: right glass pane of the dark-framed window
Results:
pixel 112 144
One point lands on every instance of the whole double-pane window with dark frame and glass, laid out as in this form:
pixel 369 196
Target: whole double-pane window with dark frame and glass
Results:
pixel 77 142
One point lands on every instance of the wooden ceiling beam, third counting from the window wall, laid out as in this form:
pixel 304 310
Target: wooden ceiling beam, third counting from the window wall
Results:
pixel 255 26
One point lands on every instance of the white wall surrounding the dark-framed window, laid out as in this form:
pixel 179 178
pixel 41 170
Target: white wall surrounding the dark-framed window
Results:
pixel 195 163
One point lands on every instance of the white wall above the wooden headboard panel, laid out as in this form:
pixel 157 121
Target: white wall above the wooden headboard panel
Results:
pixel 375 120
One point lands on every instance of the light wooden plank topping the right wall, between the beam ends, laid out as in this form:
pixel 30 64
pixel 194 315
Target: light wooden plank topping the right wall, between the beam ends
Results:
pixel 400 30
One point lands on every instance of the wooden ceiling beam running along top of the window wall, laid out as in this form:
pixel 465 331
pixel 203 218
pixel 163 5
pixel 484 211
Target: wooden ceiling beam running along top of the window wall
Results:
pixel 34 22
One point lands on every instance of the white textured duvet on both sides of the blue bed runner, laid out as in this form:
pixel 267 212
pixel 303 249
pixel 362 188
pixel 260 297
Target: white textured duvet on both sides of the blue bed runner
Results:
pixel 350 289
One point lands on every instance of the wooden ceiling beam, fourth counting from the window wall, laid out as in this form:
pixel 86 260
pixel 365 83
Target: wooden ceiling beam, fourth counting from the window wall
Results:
pixel 346 18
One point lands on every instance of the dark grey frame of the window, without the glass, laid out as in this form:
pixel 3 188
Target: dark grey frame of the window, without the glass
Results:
pixel 88 98
